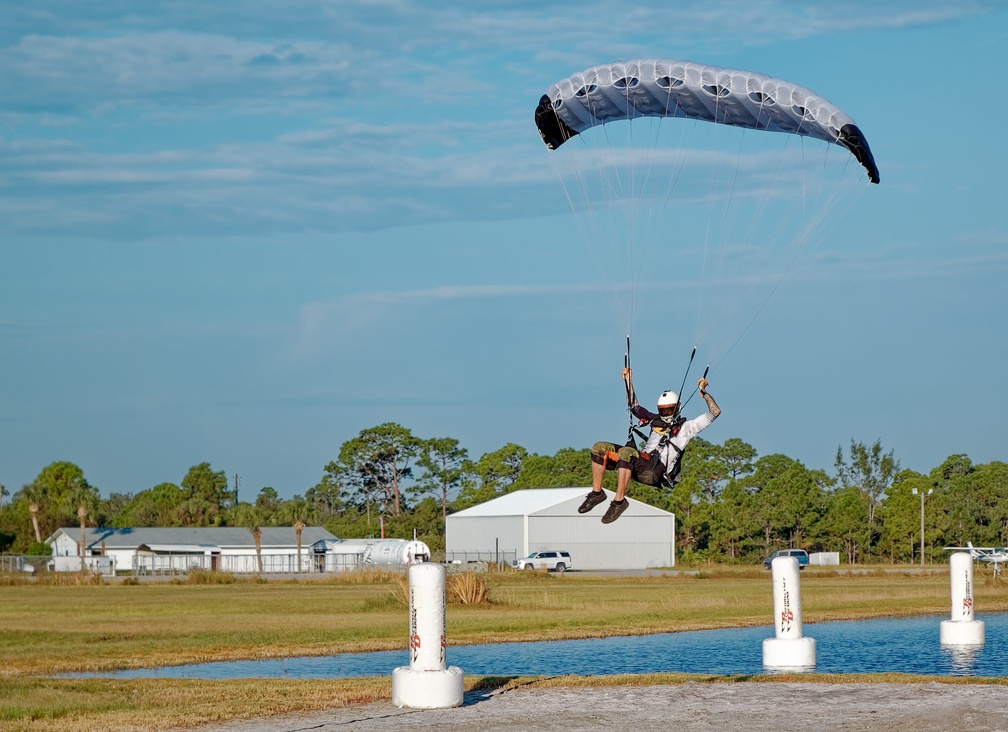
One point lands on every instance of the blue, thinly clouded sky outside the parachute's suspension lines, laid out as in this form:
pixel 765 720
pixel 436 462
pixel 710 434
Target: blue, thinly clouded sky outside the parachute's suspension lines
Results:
pixel 242 233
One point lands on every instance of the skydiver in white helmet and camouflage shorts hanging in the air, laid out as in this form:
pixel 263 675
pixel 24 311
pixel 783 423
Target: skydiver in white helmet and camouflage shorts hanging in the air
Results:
pixel 659 462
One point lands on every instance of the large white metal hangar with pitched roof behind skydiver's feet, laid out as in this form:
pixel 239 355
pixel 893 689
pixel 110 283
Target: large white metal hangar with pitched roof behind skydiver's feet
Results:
pixel 518 524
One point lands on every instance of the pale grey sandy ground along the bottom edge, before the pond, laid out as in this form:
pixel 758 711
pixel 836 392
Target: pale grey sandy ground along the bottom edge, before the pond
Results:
pixel 739 707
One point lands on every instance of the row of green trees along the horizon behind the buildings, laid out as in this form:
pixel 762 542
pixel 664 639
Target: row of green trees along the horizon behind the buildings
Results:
pixel 731 505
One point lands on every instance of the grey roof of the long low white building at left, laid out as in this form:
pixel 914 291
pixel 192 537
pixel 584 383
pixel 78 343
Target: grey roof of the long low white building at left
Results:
pixel 130 539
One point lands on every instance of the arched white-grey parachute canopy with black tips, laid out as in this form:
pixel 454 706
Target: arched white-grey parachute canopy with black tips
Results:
pixel 665 88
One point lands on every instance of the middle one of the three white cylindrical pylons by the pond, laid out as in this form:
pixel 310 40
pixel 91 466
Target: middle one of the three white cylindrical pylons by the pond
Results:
pixel 789 650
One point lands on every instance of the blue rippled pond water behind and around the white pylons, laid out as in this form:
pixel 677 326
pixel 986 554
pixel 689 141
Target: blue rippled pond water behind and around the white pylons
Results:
pixel 909 646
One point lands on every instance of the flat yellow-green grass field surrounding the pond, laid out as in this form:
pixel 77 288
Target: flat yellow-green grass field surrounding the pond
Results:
pixel 48 630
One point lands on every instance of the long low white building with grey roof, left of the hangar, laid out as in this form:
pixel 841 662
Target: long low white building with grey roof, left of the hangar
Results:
pixel 178 550
